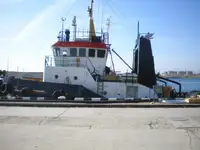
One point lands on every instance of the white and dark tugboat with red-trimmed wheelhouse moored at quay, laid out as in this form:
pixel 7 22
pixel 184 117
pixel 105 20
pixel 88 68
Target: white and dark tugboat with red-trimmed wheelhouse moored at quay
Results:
pixel 78 68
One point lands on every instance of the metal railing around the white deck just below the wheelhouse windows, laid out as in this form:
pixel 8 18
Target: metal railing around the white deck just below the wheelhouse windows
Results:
pixel 64 61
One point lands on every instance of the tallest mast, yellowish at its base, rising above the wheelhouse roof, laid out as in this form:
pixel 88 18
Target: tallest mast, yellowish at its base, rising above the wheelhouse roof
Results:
pixel 91 26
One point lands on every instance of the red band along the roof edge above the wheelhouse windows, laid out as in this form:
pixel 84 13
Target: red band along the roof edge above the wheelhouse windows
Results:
pixel 80 44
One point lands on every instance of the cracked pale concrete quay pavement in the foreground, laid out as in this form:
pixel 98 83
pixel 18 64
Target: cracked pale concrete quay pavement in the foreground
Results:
pixel 99 128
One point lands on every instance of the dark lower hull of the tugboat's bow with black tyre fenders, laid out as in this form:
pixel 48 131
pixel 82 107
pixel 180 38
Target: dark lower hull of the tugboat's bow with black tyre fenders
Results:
pixel 34 88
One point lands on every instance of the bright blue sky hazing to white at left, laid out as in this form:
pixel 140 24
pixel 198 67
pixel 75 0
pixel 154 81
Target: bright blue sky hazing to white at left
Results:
pixel 28 28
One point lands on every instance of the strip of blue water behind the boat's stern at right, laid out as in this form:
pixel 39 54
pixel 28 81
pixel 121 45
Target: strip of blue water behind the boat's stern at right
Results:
pixel 188 84
